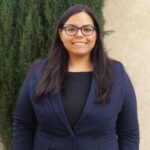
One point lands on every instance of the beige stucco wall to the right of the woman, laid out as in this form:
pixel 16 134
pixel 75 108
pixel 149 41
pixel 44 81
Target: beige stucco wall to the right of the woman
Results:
pixel 129 42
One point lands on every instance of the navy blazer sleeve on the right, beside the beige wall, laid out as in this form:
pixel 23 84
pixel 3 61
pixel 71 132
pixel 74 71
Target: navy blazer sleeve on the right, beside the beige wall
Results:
pixel 127 123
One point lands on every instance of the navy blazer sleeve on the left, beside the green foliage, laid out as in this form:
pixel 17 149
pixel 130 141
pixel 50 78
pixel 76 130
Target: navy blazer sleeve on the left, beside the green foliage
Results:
pixel 24 121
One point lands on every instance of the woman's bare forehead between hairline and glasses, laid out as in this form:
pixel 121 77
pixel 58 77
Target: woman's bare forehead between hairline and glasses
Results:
pixel 79 19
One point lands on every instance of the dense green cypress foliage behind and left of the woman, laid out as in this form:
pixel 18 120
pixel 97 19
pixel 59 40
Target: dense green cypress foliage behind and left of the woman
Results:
pixel 26 33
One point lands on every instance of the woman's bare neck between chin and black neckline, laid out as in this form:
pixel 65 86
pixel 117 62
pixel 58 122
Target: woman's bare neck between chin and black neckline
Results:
pixel 80 64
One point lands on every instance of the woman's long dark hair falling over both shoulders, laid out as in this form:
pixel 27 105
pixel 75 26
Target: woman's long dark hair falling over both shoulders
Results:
pixel 56 63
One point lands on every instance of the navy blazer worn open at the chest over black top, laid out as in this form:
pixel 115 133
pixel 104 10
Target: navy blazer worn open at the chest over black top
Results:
pixel 43 125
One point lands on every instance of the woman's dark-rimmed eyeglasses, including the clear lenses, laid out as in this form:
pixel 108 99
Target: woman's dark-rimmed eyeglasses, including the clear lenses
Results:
pixel 72 30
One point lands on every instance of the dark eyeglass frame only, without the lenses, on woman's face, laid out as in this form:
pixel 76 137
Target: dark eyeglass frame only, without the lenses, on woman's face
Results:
pixel 78 28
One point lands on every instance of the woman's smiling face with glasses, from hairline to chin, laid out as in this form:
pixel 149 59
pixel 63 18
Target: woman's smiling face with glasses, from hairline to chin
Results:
pixel 78 44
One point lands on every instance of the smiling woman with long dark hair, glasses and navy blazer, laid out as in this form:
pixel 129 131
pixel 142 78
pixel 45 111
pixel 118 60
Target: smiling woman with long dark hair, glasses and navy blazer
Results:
pixel 76 98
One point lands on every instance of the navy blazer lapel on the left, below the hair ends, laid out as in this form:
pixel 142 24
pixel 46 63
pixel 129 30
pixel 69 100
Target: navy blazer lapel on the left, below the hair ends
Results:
pixel 59 109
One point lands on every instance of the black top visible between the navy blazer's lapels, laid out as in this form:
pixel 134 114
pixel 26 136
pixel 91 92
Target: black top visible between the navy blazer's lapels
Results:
pixel 74 95
